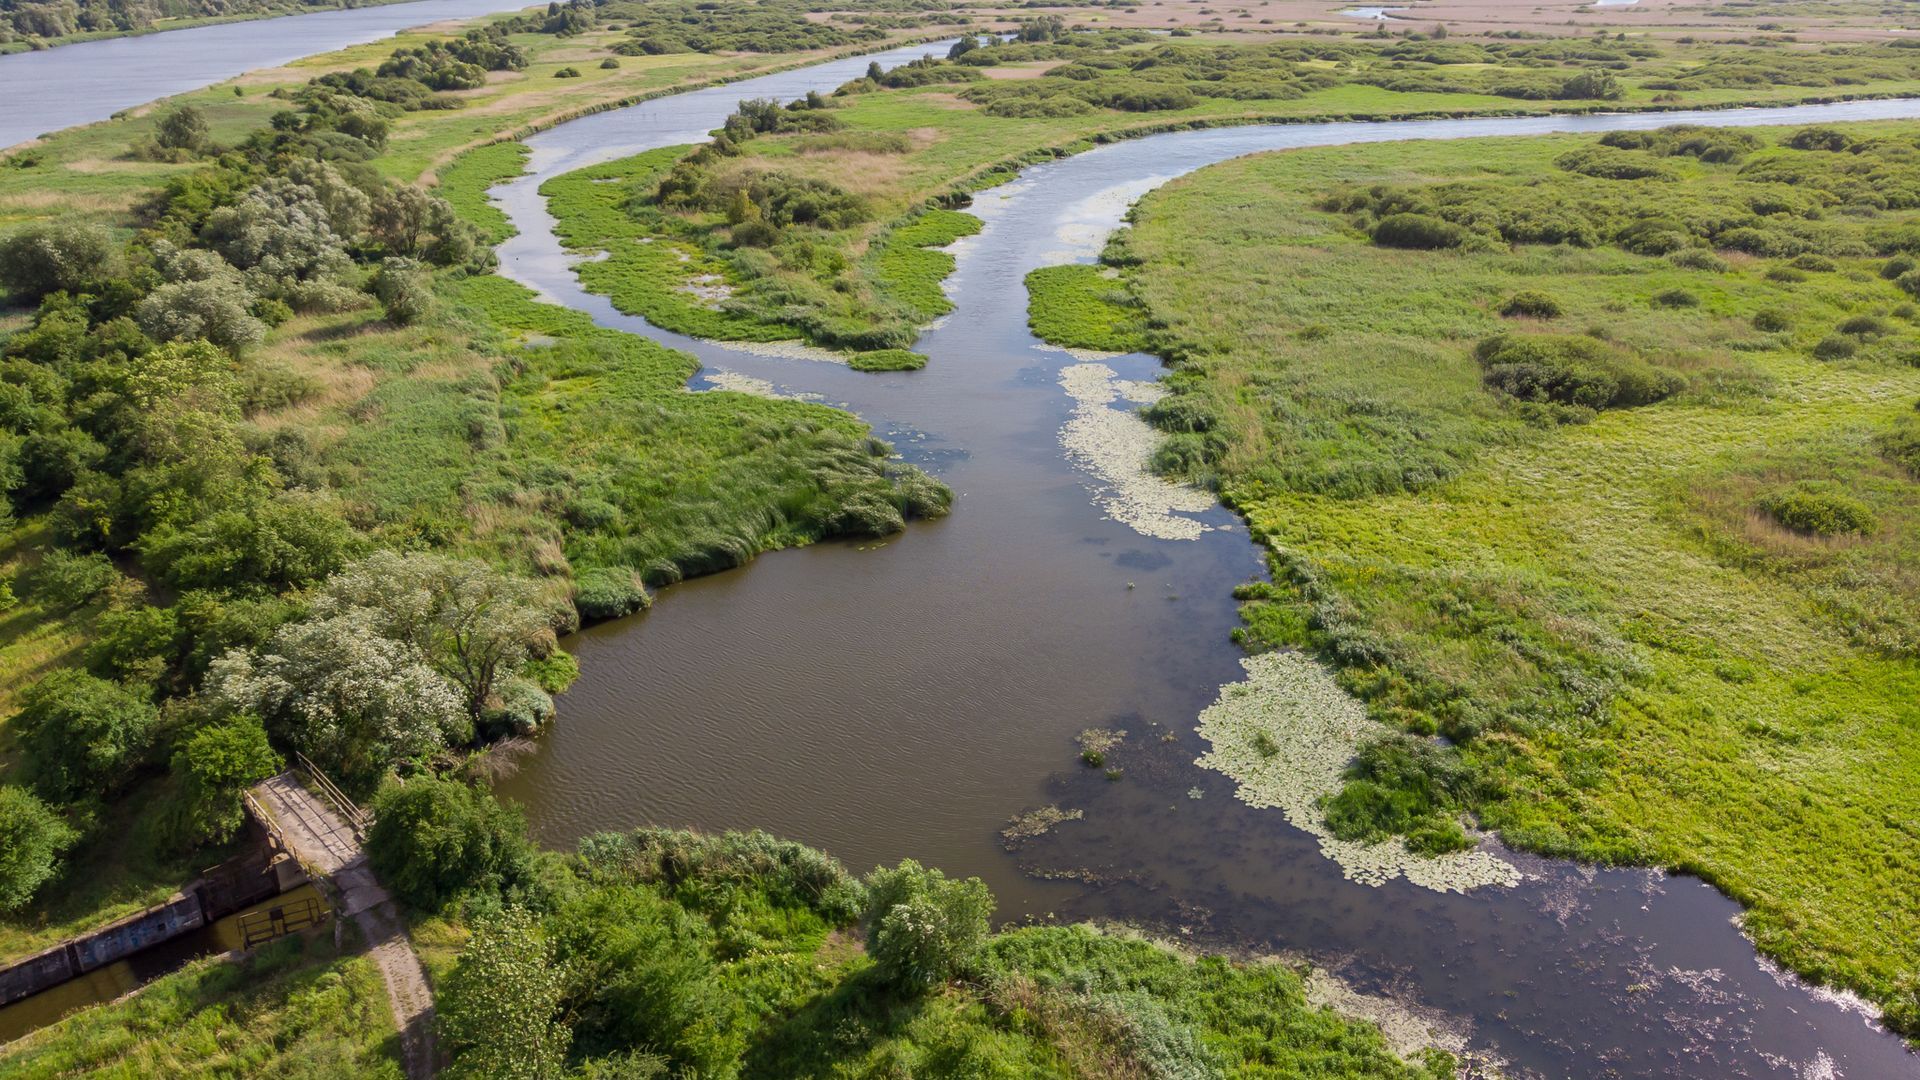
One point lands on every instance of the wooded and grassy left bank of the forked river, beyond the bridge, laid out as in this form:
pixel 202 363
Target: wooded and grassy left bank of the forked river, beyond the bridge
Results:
pixel 247 368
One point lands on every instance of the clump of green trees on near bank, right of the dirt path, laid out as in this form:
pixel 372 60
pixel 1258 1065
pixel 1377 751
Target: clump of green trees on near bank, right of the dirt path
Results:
pixel 621 958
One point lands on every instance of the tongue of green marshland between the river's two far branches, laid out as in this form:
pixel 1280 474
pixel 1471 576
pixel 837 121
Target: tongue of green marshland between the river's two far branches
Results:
pixel 809 222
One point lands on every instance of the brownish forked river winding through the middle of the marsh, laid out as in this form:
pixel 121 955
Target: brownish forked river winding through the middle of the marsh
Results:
pixel 905 699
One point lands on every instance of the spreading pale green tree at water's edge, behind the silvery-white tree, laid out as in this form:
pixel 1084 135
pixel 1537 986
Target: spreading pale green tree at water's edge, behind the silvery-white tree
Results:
pixel 469 622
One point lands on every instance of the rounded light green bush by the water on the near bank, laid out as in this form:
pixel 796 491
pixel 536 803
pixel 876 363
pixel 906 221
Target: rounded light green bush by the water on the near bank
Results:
pixel 924 929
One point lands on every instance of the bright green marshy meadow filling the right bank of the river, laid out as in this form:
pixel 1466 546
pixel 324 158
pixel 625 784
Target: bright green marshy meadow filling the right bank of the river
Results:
pixel 1637 531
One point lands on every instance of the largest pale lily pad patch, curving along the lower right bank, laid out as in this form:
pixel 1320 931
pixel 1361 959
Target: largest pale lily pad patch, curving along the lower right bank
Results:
pixel 1314 729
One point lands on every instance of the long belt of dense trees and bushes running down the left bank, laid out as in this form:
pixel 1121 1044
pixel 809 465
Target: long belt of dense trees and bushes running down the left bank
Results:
pixel 124 406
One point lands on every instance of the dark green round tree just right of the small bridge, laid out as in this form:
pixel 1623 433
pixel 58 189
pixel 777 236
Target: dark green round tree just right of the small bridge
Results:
pixel 435 841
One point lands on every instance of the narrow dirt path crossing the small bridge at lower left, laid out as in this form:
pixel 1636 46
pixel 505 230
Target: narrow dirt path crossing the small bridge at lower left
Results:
pixel 320 839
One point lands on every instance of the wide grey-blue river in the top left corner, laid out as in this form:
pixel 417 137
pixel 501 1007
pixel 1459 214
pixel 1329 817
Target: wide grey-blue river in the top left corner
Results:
pixel 89 82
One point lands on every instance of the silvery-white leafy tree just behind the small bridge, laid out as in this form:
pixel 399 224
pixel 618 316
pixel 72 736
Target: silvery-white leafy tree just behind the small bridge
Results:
pixel 345 693
